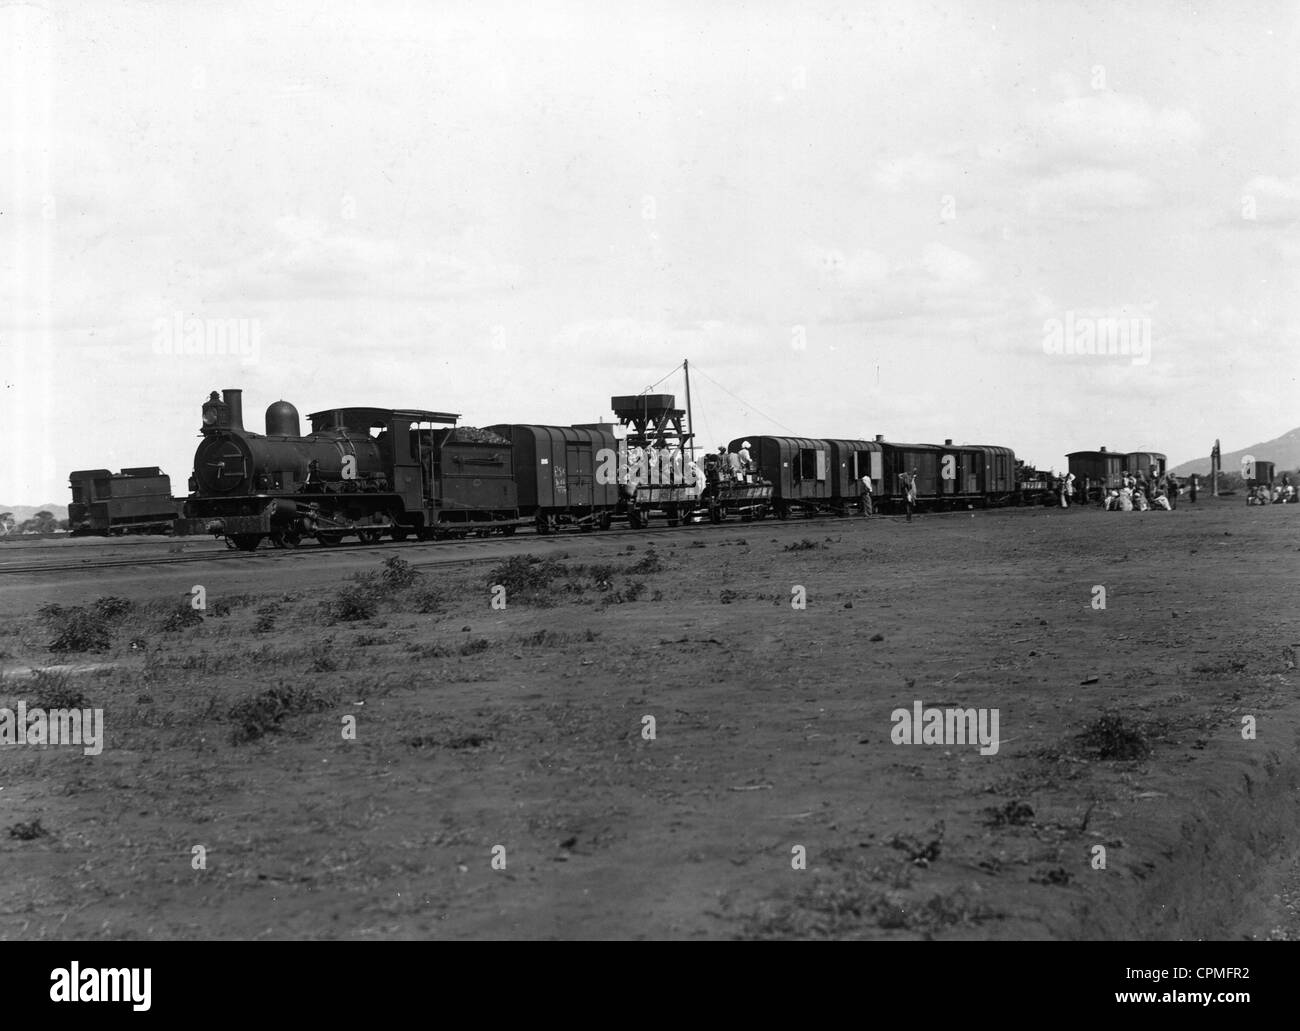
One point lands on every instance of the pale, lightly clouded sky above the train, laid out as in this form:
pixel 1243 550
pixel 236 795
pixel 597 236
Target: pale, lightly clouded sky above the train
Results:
pixel 859 219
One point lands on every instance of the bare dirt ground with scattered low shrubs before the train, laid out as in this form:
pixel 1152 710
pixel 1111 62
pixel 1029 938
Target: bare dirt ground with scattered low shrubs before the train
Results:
pixel 502 782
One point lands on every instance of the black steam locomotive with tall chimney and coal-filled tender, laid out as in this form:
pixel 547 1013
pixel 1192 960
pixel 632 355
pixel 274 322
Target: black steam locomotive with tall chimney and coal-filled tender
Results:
pixel 363 473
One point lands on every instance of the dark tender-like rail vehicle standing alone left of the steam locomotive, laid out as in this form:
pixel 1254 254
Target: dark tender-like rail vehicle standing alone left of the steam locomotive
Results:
pixel 133 501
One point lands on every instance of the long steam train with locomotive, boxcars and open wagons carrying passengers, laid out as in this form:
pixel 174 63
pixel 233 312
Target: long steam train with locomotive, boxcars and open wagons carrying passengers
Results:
pixel 367 474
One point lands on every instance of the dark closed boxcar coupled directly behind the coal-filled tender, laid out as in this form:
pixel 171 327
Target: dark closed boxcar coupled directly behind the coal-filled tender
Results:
pixel 556 474
